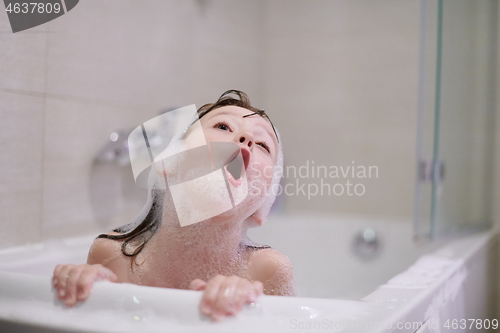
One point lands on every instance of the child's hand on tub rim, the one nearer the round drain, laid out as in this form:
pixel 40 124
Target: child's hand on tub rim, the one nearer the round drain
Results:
pixel 226 295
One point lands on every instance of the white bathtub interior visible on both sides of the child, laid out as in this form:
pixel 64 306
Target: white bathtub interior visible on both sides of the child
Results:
pixel 320 248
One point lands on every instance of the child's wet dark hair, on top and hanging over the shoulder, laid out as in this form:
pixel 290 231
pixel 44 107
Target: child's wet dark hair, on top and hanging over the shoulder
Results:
pixel 136 235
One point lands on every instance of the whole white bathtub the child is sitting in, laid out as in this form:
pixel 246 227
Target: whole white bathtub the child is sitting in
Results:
pixel 401 285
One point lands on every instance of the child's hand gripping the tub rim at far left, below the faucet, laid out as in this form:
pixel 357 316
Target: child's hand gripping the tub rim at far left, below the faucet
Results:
pixel 73 283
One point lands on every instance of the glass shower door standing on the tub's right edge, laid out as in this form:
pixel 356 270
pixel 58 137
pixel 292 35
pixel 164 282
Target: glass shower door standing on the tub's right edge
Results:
pixel 456 113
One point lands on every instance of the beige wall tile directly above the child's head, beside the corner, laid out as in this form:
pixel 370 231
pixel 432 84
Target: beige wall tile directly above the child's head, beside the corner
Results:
pixel 229 50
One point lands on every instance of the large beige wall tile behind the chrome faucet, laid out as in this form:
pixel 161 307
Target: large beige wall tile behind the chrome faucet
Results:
pixel 75 133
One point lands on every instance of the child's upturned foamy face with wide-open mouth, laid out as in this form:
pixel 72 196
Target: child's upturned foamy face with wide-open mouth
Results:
pixel 200 190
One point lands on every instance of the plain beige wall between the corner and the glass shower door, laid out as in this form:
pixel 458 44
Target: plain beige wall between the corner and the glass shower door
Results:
pixel 344 75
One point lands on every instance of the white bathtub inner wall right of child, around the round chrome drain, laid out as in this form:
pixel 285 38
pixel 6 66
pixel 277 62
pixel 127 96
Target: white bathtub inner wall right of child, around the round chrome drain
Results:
pixel 320 248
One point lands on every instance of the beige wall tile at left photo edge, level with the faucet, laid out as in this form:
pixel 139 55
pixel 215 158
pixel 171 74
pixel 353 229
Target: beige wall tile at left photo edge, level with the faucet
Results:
pixel 21 159
